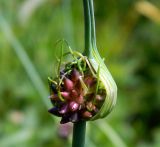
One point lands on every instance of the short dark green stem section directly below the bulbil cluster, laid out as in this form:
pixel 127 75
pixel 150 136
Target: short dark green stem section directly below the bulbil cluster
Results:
pixel 79 130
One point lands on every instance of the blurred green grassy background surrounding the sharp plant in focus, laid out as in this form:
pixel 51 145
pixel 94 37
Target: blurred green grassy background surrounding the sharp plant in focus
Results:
pixel 127 37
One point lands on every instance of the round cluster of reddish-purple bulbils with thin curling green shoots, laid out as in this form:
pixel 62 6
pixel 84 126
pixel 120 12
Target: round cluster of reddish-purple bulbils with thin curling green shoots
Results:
pixel 77 94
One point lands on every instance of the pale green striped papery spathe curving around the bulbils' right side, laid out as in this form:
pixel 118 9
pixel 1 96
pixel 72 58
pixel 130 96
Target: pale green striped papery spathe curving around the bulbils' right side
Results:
pixel 108 83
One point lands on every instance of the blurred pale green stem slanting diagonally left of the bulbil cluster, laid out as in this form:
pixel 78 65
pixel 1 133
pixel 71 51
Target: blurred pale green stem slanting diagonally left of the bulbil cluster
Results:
pixel 25 60
